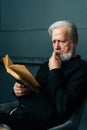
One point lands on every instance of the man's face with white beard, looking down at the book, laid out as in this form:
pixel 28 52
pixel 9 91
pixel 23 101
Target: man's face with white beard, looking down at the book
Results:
pixel 62 43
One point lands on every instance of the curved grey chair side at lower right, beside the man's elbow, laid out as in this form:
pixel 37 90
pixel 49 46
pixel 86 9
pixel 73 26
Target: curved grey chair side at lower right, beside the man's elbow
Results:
pixel 74 121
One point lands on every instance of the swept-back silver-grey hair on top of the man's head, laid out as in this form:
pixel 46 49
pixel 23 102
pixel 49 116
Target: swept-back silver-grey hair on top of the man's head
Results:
pixel 72 29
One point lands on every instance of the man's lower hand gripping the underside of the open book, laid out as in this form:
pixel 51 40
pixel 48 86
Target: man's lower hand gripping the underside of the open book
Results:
pixel 20 90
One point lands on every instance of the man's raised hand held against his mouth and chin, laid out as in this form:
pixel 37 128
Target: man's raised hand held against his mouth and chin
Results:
pixel 54 61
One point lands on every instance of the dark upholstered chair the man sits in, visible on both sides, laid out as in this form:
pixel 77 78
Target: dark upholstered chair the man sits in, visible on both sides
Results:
pixel 71 124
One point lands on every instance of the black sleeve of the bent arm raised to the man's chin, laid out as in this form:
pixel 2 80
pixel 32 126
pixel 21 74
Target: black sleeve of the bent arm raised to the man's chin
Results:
pixel 66 95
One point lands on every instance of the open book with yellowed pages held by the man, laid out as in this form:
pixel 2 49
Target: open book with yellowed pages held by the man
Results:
pixel 21 73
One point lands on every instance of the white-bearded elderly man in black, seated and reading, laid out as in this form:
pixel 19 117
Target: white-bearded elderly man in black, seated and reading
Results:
pixel 63 80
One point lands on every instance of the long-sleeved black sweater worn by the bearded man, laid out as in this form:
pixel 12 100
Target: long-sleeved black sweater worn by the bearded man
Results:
pixel 61 92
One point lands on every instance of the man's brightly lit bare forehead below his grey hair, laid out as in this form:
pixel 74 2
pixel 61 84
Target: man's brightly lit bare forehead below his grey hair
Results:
pixel 61 31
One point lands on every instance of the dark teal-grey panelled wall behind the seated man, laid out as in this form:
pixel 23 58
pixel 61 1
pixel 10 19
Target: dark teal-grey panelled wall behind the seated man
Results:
pixel 24 36
